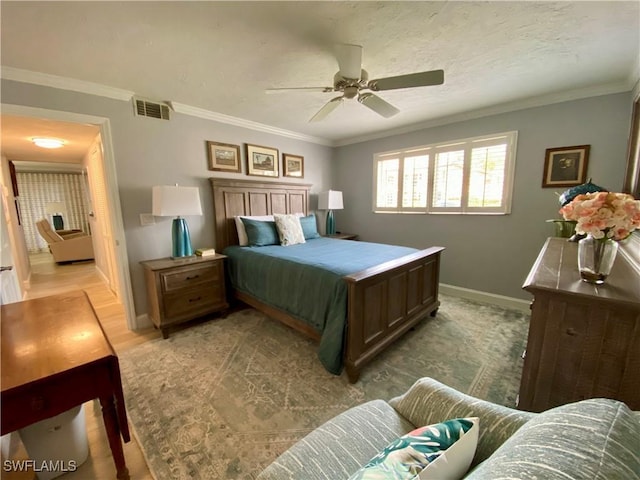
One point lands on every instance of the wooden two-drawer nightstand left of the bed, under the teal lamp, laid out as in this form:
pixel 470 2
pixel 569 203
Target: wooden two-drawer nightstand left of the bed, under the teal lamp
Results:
pixel 182 289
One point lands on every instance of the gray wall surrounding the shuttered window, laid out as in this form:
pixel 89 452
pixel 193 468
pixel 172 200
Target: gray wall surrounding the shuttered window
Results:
pixel 491 253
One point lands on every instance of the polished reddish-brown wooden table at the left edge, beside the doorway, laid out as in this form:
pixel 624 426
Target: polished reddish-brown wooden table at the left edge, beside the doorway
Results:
pixel 56 356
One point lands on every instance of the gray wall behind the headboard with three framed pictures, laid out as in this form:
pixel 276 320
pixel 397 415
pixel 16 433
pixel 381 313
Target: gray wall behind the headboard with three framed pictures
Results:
pixel 155 152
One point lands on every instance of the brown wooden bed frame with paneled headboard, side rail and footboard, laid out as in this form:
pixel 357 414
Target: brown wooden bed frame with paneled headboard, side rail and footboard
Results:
pixel 383 302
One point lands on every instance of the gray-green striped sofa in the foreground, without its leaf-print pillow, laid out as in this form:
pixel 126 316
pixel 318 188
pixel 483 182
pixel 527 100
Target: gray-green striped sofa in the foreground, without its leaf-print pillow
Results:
pixel 590 439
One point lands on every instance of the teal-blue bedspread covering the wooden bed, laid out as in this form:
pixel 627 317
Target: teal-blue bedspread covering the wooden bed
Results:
pixel 305 281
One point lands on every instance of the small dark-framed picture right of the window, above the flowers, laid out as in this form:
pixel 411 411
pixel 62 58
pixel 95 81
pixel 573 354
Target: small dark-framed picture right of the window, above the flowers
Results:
pixel 565 166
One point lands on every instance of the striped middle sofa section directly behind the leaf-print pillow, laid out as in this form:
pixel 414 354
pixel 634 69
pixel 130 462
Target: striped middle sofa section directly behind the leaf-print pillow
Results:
pixel 429 401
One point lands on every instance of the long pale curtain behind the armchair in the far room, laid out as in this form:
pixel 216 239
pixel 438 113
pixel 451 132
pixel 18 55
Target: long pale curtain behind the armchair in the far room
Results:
pixel 37 189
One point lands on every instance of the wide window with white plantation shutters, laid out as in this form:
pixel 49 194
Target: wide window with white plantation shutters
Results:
pixel 473 175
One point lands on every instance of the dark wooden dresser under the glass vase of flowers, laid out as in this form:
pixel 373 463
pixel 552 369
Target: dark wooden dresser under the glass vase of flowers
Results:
pixel 584 339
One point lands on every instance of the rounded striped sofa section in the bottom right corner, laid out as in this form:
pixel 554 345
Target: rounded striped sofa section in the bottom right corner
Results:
pixel 594 439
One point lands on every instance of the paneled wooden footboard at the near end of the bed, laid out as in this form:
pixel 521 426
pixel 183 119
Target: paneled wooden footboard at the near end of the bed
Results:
pixel 387 300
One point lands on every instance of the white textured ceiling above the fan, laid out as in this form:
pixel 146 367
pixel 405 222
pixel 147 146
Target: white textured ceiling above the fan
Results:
pixel 221 56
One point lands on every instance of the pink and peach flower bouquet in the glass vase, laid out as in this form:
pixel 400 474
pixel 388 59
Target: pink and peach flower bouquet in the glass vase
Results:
pixel 604 214
